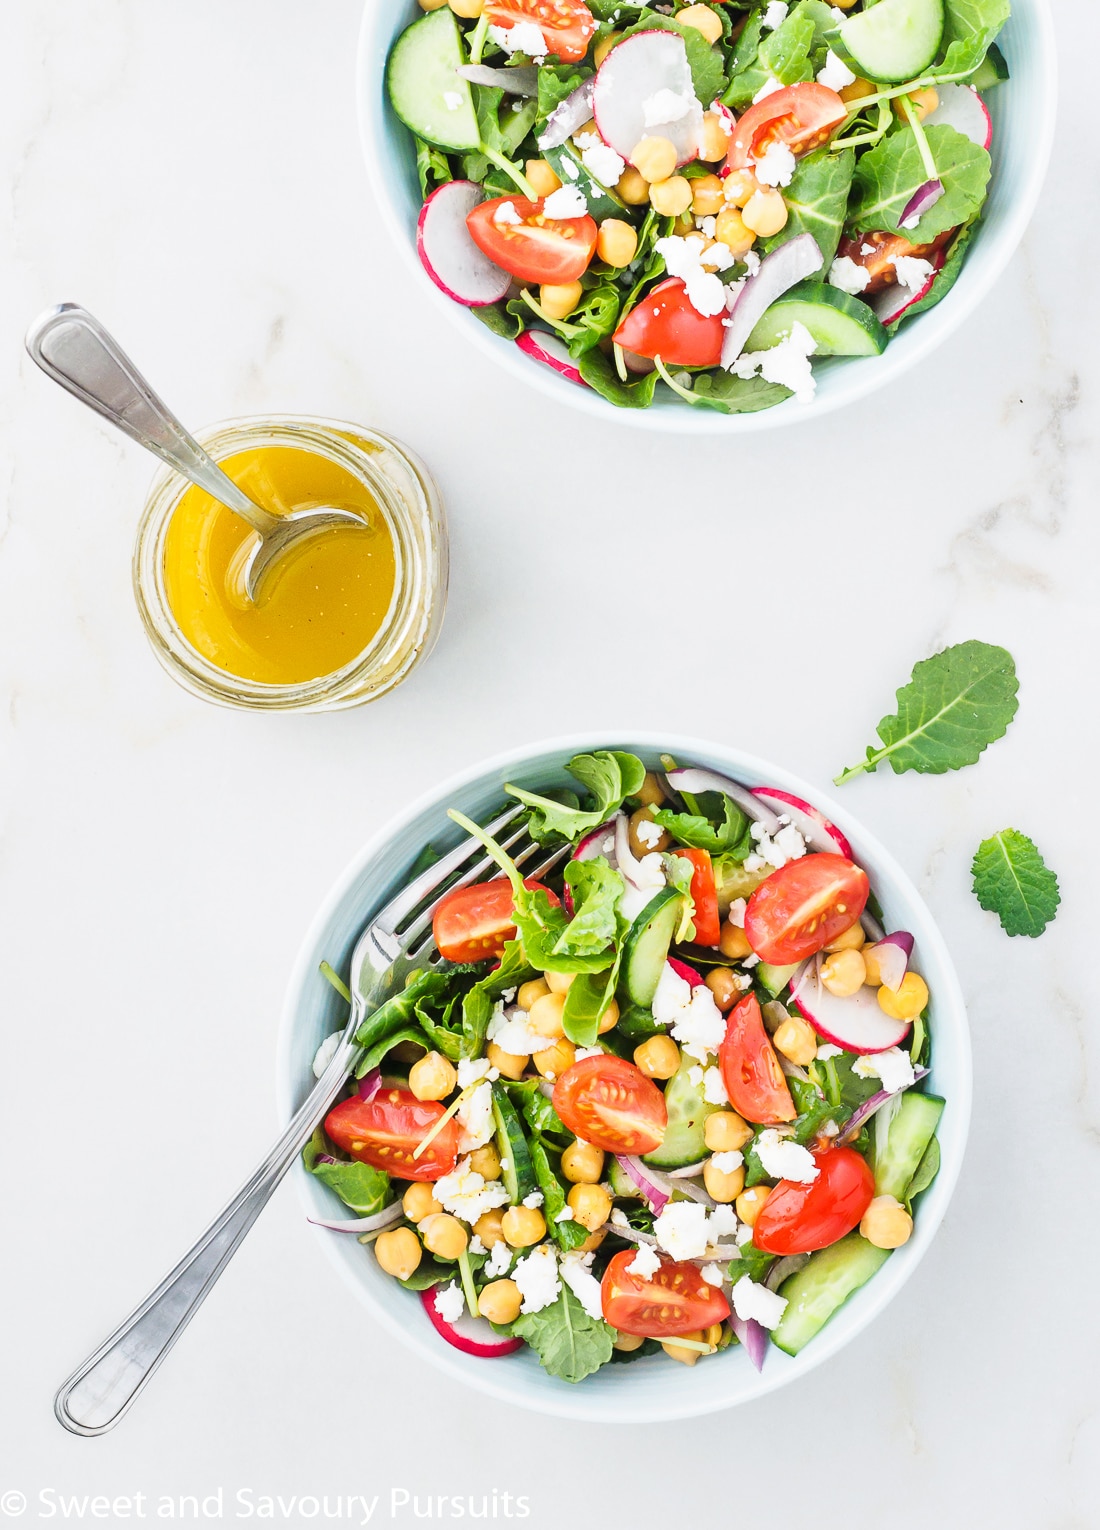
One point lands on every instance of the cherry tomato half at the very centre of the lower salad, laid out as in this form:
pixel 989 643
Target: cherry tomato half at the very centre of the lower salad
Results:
pixel 611 1104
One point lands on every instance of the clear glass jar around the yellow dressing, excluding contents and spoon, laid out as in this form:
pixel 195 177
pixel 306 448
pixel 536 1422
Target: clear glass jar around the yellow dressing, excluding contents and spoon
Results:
pixel 409 504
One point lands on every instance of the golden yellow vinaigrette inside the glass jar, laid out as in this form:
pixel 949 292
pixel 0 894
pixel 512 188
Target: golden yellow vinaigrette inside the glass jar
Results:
pixel 324 601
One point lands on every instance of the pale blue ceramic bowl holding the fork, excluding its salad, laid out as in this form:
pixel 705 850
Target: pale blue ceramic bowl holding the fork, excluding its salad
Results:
pixel 656 1388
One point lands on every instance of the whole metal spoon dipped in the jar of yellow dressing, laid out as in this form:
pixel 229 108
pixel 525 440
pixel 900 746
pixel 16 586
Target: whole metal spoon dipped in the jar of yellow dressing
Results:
pixel 73 348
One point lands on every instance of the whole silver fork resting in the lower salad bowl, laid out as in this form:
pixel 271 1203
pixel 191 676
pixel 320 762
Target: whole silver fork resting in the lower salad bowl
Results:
pixel 397 942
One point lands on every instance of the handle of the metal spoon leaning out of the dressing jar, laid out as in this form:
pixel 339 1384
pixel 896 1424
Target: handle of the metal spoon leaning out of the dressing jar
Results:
pixel 73 348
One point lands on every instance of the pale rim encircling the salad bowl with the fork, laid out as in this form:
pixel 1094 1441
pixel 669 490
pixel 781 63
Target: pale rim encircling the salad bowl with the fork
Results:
pixel 515 1387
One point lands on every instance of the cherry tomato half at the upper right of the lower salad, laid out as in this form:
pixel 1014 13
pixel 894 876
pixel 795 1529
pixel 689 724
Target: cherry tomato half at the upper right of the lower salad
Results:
pixel 804 907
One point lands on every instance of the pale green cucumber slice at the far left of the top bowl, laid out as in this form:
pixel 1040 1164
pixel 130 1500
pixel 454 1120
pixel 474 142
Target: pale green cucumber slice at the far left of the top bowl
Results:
pixel 425 86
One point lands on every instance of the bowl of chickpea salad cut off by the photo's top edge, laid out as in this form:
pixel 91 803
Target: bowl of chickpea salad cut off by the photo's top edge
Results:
pixel 712 216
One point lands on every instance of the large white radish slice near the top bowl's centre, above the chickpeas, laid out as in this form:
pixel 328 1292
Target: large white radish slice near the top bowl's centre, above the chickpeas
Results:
pixel 637 82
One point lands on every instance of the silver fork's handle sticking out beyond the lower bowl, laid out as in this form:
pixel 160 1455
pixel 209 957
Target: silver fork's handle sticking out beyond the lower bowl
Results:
pixel 106 1385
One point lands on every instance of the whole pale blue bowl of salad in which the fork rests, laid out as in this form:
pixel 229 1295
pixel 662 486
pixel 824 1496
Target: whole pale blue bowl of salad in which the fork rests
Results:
pixel 669 1130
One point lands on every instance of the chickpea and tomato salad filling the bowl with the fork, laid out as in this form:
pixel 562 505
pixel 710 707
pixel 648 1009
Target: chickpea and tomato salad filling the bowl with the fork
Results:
pixel 646 1107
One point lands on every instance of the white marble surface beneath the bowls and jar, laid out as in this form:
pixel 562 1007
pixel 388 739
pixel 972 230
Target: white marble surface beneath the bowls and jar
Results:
pixel 192 174
